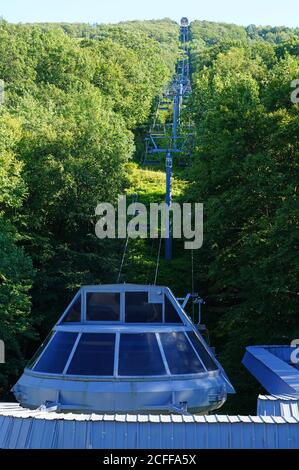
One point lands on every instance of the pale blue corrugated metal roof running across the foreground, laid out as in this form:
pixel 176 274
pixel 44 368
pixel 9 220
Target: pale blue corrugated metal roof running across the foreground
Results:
pixel 37 429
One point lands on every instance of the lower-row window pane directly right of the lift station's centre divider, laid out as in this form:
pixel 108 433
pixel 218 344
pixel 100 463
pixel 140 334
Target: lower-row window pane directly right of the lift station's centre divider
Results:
pixel 139 355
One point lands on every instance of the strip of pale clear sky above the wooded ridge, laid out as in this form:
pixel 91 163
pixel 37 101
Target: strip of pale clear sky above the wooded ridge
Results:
pixel 243 12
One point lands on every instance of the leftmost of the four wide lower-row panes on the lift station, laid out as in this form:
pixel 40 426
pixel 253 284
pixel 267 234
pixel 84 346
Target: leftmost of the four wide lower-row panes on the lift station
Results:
pixel 55 357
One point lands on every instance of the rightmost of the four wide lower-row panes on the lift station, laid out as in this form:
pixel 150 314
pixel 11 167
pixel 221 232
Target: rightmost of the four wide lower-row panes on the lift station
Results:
pixel 180 355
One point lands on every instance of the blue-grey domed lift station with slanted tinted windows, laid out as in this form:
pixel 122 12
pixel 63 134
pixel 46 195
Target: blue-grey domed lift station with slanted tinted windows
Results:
pixel 124 348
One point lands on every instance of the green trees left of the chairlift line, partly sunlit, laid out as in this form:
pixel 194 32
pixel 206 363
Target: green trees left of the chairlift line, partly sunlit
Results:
pixel 72 103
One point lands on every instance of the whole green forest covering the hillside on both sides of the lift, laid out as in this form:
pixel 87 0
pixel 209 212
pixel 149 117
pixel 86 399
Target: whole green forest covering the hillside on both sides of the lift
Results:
pixel 78 101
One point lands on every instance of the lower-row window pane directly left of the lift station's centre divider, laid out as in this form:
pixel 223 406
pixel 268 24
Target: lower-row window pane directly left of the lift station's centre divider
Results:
pixel 94 355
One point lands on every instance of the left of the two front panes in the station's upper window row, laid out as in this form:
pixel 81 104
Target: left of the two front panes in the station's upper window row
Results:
pixel 103 306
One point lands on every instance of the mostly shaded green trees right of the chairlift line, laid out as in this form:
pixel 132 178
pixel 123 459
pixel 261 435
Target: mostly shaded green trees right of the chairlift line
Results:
pixel 246 173
